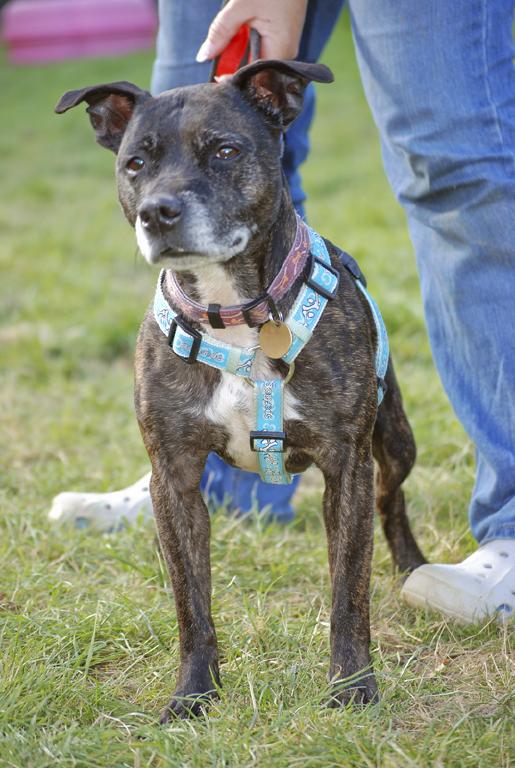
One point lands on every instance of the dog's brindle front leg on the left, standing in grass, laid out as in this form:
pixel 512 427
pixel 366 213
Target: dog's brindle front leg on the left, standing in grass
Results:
pixel 184 530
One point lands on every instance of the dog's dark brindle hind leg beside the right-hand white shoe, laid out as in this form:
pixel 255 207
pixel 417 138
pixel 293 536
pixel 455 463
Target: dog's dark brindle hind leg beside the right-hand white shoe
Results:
pixel 395 451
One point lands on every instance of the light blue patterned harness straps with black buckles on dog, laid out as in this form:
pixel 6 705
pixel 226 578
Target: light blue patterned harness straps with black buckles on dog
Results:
pixel 321 285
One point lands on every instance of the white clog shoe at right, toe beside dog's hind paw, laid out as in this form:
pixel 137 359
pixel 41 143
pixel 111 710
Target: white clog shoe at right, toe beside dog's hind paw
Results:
pixel 480 587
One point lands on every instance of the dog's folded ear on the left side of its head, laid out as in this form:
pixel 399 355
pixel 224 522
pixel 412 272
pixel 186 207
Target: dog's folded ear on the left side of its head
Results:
pixel 111 106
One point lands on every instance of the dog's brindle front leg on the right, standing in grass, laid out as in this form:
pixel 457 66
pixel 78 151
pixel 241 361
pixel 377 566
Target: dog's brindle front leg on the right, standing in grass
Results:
pixel 348 515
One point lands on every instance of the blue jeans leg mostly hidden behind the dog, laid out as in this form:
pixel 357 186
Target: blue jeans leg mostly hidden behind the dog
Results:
pixel 183 26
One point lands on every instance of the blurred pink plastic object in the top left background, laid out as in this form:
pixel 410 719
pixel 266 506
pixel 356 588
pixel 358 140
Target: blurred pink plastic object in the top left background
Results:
pixel 48 30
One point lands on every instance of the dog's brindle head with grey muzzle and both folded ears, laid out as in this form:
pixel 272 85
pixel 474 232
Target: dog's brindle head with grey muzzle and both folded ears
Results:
pixel 199 168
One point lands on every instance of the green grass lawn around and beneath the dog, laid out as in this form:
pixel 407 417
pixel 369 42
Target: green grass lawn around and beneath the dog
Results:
pixel 88 633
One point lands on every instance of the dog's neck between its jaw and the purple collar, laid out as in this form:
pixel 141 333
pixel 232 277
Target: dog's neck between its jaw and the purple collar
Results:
pixel 247 275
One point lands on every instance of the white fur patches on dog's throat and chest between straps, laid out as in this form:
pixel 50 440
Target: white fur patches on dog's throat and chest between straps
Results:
pixel 232 404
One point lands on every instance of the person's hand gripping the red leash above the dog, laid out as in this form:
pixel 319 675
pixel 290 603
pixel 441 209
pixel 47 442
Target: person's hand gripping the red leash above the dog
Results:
pixel 279 23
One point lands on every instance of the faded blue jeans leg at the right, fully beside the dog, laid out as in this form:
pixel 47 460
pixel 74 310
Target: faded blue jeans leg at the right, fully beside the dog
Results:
pixel 441 84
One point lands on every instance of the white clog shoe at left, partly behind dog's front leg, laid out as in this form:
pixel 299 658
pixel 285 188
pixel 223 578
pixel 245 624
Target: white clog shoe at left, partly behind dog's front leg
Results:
pixel 103 511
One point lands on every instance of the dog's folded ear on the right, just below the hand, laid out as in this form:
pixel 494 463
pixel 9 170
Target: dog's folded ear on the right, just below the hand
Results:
pixel 277 87
